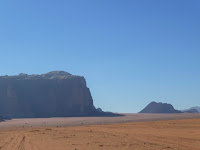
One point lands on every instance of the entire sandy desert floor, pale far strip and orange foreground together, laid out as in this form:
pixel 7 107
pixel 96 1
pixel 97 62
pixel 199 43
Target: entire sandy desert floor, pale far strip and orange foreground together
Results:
pixel 129 132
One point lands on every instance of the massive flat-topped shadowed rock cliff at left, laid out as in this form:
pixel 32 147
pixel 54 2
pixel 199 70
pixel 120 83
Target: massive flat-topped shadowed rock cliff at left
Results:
pixel 55 94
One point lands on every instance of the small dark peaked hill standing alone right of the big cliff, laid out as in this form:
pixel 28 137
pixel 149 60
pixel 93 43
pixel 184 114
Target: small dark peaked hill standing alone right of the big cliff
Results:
pixel 155 107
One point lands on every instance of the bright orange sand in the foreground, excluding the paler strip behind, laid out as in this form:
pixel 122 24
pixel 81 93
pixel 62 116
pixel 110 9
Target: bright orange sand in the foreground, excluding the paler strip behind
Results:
pixel 152 135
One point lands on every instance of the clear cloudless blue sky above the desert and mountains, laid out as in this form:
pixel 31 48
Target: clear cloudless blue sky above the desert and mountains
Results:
pixel 131 52
